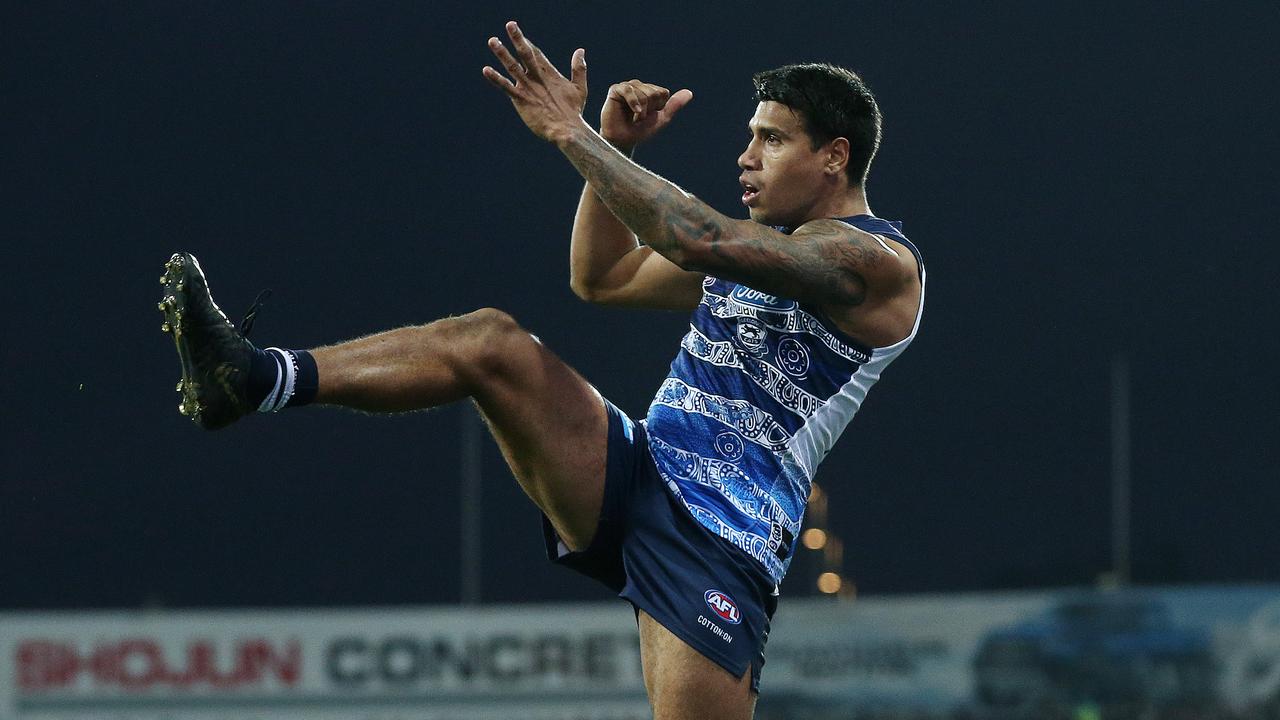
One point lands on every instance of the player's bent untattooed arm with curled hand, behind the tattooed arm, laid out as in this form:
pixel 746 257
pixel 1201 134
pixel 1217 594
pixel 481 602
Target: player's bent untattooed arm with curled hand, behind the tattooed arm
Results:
pixel 607 265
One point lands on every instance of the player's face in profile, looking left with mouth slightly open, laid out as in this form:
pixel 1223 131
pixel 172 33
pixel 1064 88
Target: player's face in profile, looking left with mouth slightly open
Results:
pixel 783 175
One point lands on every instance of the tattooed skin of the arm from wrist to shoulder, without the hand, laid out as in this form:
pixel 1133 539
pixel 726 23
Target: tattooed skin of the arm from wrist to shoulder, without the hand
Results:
pixel 824 262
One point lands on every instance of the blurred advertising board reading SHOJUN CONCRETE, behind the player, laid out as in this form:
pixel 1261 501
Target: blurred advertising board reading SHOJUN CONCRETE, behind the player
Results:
pixel 1176 653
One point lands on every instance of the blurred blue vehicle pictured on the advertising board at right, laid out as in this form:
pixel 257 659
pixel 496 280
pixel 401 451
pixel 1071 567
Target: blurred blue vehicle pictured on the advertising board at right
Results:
pixel 1094 650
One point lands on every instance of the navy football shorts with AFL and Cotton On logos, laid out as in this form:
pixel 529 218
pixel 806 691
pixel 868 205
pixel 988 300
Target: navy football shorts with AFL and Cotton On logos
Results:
pixel 651 552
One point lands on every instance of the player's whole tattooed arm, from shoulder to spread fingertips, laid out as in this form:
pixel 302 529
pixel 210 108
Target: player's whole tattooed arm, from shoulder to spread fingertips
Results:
pixel 835 265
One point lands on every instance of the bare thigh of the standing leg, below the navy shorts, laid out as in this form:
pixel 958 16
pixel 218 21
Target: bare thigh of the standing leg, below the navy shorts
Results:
pixel 685 685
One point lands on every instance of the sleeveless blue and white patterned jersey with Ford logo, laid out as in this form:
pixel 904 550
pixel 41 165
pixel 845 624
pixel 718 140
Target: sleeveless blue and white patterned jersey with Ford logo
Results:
pixel 758 395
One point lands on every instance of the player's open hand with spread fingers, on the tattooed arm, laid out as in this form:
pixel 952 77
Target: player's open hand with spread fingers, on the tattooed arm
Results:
pixel 550 103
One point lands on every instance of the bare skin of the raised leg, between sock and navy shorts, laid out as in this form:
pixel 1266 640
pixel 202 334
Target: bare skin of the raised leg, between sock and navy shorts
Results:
pixel 550 423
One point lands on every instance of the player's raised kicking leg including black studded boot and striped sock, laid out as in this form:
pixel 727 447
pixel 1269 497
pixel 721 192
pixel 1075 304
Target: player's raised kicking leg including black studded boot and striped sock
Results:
pixel 551 425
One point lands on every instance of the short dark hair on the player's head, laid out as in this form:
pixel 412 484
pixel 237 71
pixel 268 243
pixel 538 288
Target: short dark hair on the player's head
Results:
pixel 834 103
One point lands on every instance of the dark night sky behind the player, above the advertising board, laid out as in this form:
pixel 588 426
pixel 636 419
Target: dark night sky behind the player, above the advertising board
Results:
pixel 1084 181
